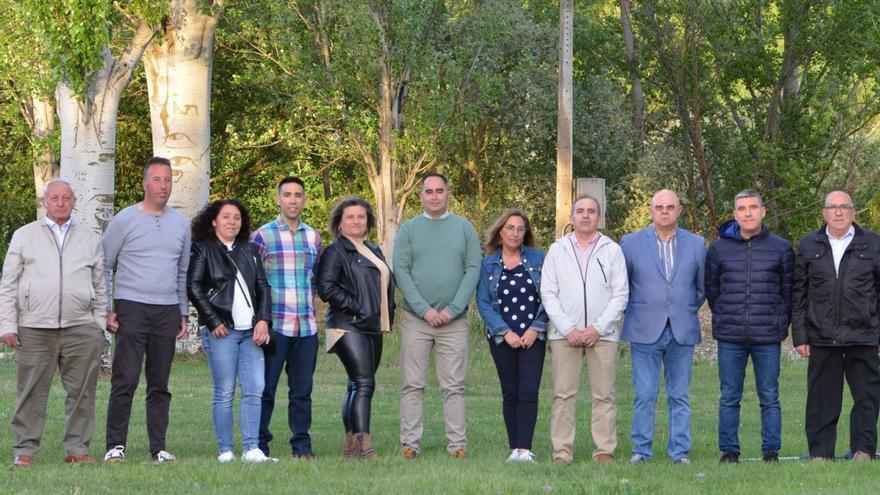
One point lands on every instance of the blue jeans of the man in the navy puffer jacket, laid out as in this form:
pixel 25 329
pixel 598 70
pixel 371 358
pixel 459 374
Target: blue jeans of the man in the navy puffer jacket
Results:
pixel 732 360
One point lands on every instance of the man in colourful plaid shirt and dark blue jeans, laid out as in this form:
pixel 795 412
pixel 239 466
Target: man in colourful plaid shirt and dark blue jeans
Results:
pixel 290 251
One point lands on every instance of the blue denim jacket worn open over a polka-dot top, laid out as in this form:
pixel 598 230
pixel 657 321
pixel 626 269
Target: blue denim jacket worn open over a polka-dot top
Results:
pixel 487 292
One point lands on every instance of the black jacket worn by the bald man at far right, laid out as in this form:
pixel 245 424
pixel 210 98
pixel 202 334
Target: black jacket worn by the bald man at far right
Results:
pixel 837 310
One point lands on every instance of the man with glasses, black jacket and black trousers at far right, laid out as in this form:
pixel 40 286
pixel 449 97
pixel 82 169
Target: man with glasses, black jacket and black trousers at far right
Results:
pixel 835 324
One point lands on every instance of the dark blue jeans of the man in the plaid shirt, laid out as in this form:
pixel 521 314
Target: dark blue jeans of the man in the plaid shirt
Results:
pixel 298 356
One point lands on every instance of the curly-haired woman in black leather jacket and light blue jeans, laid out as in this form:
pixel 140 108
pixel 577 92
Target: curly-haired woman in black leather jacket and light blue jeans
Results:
pixel 227 285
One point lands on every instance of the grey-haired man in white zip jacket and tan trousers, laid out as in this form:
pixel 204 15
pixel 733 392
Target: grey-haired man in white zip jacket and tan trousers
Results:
pixel 584 290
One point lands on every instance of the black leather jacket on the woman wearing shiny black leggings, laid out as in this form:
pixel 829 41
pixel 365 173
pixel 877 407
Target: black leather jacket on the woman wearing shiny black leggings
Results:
pixel 352 285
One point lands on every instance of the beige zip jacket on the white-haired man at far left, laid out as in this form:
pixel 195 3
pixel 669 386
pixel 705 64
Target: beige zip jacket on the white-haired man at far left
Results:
pixel 43 287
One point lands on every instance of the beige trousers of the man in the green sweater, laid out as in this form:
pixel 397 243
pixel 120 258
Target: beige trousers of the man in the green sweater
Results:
pixel 450 343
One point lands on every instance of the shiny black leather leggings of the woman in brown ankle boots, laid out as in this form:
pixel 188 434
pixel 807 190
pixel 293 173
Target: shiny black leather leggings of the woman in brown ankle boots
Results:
pixel 360 353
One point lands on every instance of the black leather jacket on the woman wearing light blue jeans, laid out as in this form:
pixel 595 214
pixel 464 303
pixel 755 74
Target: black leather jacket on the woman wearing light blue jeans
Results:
pixel 210 281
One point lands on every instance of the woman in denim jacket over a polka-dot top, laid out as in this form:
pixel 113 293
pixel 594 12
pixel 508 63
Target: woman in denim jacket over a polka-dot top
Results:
pixel 509 300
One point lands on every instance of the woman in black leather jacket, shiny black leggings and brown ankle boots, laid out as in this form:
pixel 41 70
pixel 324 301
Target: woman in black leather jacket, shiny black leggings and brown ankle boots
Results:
pixel 354 278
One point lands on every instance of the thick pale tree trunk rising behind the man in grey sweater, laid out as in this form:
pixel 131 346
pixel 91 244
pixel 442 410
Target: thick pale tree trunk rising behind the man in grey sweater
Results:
pixel 179 87
